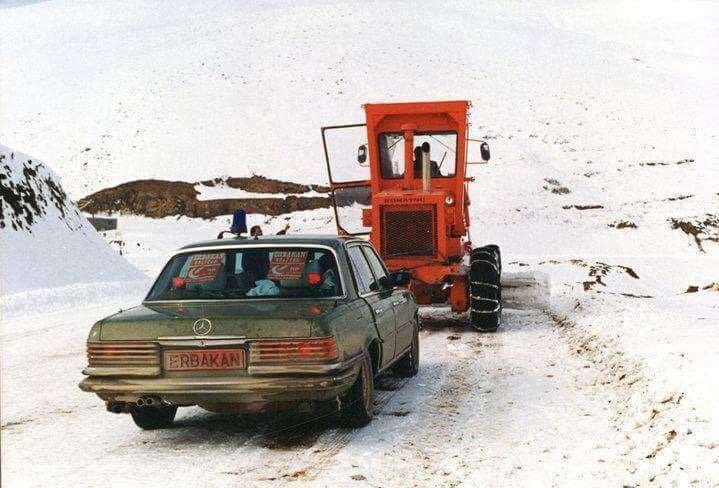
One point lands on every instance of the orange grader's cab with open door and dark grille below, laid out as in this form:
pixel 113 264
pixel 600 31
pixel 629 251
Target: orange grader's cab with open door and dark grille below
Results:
pixel 407 187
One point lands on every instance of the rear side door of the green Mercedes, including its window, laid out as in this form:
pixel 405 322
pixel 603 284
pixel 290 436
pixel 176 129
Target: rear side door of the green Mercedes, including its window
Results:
pixel 380 304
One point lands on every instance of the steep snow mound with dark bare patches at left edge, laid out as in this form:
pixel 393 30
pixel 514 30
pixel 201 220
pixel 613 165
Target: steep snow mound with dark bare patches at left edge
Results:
pixel 46 243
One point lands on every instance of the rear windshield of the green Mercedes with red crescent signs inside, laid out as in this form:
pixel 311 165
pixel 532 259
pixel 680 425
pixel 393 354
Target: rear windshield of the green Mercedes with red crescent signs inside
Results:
pixel 249 273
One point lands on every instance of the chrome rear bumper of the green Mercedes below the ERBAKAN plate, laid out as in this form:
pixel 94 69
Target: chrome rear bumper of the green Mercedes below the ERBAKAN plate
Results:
pixel 261 384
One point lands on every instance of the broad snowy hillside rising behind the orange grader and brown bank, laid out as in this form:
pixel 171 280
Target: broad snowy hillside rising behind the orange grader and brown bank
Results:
pixel 183 91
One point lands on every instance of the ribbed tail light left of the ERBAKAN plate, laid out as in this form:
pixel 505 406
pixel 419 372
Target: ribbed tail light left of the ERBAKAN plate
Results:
pixel 123 353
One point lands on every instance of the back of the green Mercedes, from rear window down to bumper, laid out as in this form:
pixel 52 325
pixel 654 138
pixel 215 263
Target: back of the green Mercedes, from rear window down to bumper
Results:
pixel 200 338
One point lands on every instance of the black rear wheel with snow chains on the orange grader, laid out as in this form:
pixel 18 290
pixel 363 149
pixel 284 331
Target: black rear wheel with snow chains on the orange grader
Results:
pixel 485 290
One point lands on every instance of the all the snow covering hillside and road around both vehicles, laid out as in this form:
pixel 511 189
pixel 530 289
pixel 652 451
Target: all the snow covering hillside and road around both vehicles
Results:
pixel 583 103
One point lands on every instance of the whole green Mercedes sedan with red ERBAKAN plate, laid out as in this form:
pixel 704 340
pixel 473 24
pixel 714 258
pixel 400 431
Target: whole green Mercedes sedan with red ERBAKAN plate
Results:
pixel 243 325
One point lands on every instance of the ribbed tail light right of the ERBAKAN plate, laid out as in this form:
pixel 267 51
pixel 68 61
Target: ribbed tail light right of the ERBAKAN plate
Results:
pixel 300 350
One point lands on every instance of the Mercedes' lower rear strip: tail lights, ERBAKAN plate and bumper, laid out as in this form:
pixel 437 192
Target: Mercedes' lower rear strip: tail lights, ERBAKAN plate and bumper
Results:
pixel 217 371
